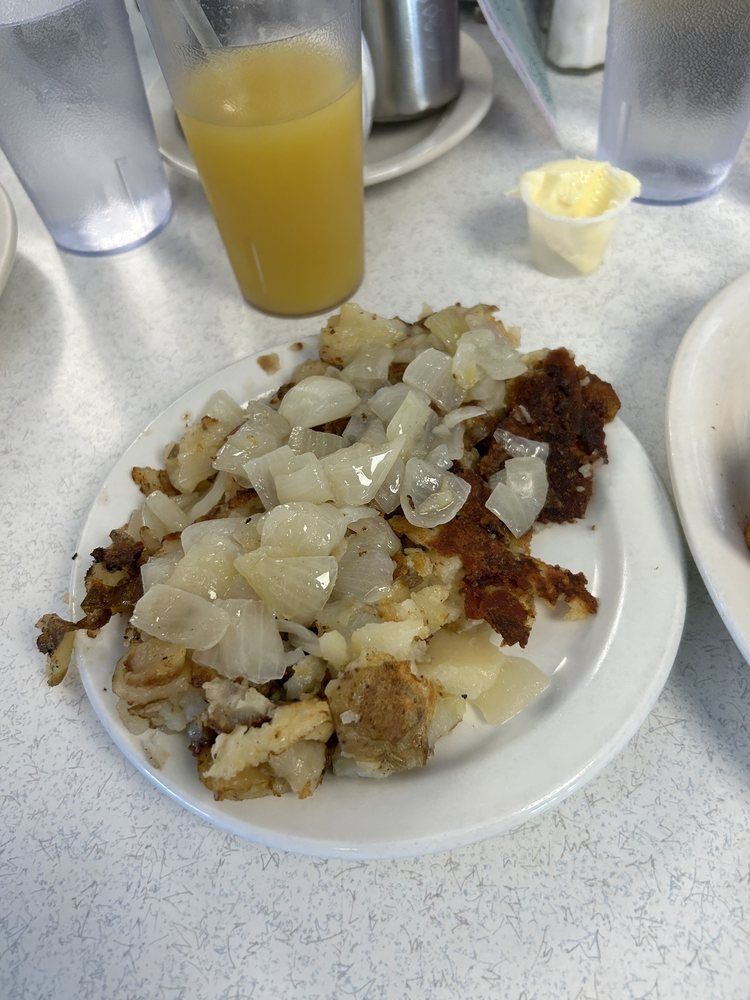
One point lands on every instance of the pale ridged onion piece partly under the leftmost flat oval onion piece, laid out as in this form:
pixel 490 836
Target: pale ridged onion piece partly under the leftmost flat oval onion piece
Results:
pixel 250 648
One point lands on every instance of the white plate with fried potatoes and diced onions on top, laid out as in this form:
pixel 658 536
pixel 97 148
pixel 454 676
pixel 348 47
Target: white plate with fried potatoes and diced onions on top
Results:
pixel 385 591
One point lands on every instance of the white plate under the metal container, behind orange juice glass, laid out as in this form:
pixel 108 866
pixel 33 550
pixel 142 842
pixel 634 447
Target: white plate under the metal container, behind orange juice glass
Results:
pixel 391 150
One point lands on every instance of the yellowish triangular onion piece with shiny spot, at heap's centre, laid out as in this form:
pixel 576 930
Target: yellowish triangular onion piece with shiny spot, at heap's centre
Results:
pixel 293 587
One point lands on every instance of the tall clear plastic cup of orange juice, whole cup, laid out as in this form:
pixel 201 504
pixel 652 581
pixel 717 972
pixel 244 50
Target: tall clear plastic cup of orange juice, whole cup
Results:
pixel 268 93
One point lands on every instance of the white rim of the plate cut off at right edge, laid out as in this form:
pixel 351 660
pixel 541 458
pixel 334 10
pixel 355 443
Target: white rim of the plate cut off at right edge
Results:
pixel 692 506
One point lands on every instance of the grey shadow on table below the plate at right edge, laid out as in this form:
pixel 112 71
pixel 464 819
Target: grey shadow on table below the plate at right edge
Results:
pixel 713 682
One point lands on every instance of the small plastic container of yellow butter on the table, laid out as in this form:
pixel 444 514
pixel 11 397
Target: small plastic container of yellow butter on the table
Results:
pixel 572 208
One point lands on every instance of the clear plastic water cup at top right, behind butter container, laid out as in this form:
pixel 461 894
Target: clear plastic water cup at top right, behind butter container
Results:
pixel 676 97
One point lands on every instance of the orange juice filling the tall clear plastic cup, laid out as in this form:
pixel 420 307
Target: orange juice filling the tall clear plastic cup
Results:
pixel 276 133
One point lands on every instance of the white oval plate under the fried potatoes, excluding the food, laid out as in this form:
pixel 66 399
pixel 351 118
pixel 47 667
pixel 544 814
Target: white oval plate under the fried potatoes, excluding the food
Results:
pixel 483 780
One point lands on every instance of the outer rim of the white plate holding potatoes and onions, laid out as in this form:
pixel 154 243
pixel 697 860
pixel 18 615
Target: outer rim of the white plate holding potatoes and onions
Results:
pixel 442 840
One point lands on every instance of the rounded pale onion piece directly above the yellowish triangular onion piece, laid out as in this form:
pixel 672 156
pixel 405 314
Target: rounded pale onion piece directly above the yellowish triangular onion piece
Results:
pixel 303 529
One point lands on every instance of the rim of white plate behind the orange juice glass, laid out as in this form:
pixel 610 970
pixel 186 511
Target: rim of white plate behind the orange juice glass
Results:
pixel 474 101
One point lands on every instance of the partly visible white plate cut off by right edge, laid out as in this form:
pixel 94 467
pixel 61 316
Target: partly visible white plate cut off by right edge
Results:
pixel 708 439
